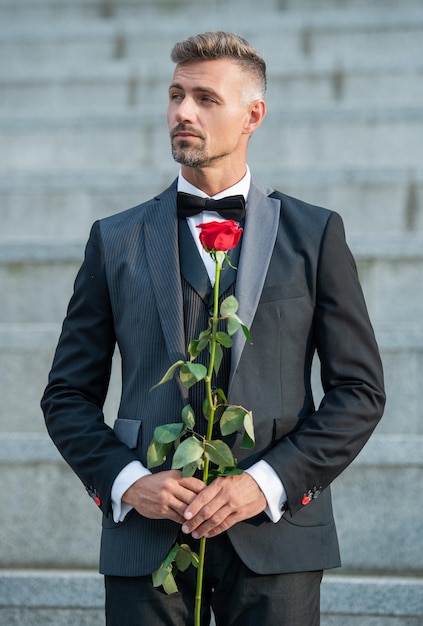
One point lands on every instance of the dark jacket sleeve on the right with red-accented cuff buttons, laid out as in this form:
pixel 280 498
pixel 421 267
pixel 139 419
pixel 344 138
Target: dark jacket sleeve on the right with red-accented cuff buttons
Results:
pixel 328 440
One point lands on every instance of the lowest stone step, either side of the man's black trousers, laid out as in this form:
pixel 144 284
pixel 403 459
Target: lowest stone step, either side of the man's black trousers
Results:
pixel 65 598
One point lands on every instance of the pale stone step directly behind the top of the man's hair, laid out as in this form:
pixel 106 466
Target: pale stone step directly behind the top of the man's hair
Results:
pixel 279 35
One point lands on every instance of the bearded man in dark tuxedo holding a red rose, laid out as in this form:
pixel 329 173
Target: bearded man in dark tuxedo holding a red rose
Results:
pixel 143 285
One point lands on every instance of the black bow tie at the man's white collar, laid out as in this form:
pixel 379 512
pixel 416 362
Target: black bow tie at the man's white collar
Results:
pixel 231 207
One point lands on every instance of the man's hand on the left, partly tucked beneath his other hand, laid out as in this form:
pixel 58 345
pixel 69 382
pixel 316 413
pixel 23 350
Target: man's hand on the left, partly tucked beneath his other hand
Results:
pixel 164 495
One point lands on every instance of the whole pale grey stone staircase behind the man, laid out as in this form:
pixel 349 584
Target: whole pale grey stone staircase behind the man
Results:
pixel 83 96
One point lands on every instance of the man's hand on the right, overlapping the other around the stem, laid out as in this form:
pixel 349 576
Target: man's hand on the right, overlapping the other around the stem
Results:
pixel 226 501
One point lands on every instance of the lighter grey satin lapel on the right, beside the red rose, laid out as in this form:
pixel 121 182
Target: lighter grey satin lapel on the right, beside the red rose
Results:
pixel 258 240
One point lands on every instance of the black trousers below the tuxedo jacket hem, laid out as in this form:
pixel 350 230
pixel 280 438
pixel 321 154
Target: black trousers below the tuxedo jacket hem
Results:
pixel 237 596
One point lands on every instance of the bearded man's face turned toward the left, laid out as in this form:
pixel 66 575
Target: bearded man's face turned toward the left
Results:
pixel 207 118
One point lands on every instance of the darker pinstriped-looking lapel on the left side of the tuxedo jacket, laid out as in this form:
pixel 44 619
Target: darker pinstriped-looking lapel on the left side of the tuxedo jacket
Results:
pixel 161 233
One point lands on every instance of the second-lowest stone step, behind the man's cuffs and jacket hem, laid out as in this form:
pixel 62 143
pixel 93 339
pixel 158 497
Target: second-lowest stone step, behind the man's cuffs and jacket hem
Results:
pixel 386 474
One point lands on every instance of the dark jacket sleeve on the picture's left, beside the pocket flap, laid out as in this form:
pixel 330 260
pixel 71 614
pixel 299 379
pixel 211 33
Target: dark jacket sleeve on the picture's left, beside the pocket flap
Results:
pixel 73 400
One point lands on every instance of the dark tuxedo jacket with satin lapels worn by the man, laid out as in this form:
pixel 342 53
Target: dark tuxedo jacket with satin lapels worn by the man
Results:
pixel 299 293
